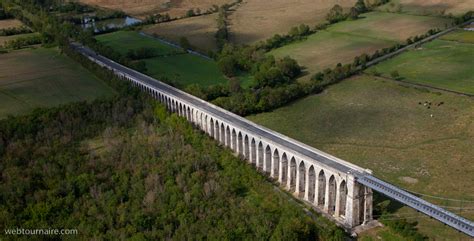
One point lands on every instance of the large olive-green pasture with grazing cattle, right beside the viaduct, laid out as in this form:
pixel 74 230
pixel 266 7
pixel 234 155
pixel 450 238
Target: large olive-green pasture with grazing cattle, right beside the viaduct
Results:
pixel 380 125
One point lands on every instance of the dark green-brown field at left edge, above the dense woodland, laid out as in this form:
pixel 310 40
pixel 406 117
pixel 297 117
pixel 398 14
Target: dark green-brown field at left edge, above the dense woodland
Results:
pixel 43 78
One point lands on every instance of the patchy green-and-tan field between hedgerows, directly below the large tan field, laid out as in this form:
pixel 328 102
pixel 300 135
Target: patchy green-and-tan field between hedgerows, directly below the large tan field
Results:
pixel 343 41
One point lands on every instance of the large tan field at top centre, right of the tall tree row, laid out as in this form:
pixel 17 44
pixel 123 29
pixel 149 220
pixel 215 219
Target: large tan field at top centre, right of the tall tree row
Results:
pixel 256 20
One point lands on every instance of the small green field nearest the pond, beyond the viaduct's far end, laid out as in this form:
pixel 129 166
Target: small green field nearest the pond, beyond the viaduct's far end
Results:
pixel 123 41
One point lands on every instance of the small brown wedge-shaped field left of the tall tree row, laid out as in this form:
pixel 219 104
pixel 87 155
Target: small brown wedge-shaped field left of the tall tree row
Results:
pixel 199 31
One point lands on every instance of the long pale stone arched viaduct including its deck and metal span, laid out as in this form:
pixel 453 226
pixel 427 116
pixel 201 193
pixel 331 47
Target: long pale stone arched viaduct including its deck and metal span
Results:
pixel 332 186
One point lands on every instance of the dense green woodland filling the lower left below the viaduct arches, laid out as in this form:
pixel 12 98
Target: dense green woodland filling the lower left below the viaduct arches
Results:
pixel 124 168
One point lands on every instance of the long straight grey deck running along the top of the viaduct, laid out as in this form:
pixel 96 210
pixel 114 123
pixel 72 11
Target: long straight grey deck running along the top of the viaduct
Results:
pixel 364 178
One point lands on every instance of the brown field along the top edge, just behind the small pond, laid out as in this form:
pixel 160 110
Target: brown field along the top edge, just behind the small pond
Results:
pixel 142 8
